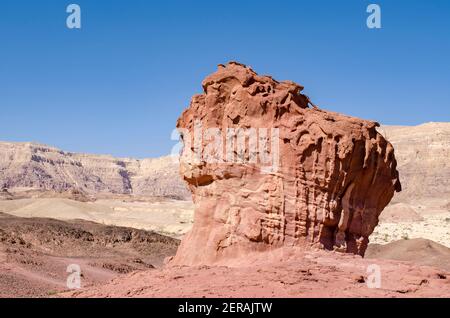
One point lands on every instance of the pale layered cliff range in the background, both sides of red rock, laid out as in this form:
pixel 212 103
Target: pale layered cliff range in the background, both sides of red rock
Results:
pixel 422 154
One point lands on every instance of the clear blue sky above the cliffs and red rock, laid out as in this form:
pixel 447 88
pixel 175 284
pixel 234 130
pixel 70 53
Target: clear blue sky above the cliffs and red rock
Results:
pixel 118 85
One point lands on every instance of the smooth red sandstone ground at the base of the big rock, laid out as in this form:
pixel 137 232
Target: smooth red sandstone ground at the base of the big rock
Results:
pixel 297 274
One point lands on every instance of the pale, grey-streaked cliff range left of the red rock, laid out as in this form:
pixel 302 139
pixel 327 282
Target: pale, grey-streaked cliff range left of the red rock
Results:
pixel 26 166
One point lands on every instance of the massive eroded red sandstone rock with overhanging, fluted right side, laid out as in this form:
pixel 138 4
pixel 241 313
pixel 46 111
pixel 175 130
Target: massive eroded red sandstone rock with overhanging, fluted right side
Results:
pixel 334 176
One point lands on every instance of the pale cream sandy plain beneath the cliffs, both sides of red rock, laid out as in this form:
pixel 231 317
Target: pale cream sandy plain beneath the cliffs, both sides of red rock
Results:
pixel 399 221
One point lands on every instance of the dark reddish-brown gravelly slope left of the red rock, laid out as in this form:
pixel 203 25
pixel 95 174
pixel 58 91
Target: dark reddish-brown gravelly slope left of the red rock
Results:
pixel 35 253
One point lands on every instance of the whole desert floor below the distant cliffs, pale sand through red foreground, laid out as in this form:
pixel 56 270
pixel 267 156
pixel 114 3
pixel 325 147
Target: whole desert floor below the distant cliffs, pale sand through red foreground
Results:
pixel 36 250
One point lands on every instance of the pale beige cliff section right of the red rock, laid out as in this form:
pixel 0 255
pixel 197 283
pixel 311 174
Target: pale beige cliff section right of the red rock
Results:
pixel 422 154
